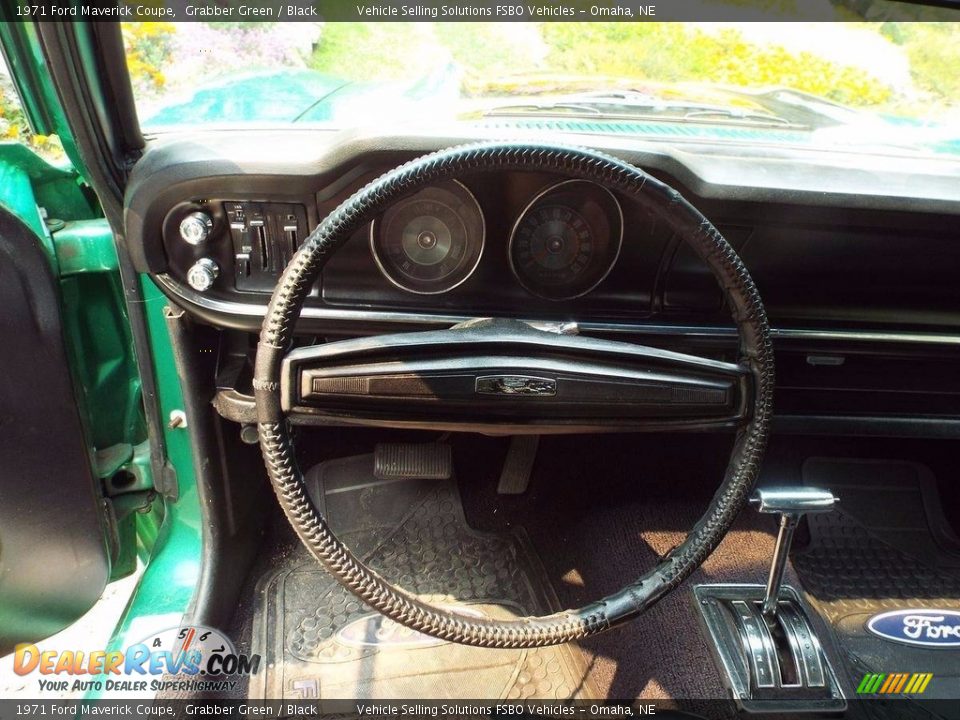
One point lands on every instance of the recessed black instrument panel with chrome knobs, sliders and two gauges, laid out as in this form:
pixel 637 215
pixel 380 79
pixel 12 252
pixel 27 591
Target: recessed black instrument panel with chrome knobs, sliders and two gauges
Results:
pixel 484 243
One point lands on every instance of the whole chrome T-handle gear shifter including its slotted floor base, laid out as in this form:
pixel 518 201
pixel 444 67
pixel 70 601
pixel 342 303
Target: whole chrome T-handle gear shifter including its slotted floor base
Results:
pixel 762 637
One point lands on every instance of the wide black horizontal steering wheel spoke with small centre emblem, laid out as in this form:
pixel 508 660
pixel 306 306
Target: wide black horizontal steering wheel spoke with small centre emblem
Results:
pixel 505 376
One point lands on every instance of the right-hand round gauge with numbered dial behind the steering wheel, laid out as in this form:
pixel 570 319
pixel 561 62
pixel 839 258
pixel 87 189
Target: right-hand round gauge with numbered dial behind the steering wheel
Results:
pixel 567 240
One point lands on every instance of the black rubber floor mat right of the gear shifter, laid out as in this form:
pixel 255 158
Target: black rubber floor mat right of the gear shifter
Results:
pixel 886 548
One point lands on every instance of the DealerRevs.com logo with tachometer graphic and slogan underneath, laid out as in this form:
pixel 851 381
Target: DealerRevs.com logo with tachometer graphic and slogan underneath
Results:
pixel 184 652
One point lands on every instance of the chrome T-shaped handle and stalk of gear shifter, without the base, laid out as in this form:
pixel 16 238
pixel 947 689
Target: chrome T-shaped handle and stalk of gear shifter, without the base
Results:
pixel 791 503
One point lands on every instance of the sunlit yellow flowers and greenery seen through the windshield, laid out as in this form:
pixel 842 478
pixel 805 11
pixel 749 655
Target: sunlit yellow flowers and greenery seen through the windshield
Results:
pixel 896 68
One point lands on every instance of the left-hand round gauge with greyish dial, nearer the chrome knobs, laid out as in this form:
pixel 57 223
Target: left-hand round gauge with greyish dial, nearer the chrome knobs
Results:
pixel 430 242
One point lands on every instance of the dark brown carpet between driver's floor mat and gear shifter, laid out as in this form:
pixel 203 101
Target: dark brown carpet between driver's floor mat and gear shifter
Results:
pixel 663 654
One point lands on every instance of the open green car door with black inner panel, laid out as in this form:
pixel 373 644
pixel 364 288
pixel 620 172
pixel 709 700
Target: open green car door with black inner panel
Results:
pixel 74 462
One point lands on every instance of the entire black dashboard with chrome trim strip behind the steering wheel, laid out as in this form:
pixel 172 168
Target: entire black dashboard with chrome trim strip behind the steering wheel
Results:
pixel 857 266
